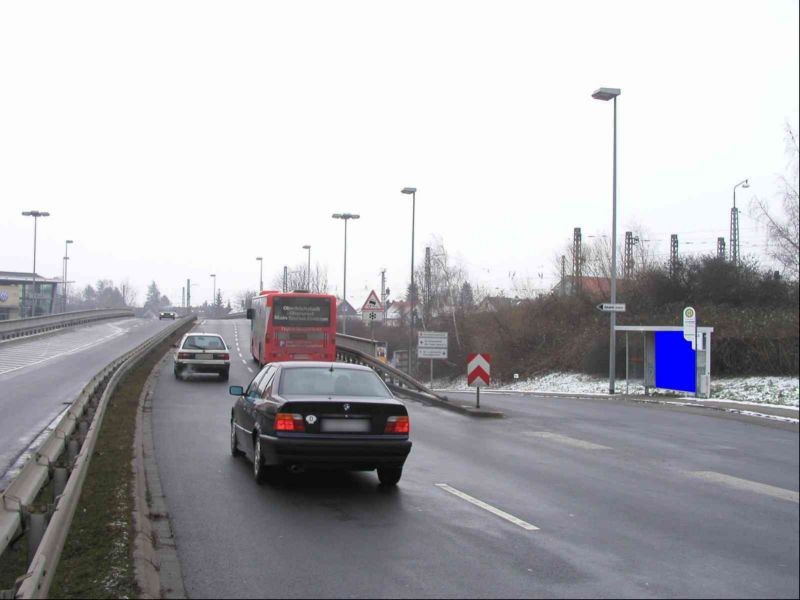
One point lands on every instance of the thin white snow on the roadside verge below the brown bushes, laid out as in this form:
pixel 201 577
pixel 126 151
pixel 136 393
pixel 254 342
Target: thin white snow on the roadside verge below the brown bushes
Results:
pixel 783 391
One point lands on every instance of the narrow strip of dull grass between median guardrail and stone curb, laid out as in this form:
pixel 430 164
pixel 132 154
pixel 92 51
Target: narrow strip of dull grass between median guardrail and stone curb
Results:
pixel 97 561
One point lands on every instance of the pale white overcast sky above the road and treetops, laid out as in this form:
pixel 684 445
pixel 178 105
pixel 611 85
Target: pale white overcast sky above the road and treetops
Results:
pixel 172 140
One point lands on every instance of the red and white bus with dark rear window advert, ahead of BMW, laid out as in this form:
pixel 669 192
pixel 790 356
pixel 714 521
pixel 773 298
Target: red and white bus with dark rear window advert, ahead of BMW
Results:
pixel 292 326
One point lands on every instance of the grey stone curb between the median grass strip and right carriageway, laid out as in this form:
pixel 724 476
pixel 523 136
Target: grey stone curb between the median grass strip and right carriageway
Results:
pixel 158 570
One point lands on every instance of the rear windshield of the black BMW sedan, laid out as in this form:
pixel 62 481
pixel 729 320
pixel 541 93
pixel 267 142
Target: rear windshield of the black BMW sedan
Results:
pixel 324 381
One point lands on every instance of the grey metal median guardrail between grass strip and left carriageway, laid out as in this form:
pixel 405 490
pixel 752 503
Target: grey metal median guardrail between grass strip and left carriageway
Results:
pixel 63 458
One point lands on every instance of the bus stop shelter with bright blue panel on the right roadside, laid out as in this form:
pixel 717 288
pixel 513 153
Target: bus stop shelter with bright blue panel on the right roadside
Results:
pixel 668 360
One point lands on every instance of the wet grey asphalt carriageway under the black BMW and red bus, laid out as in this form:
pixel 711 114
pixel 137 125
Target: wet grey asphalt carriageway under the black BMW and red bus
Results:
pixel 601 499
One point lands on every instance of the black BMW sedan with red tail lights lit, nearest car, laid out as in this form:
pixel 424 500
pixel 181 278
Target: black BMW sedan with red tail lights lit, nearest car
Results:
pixel 298 415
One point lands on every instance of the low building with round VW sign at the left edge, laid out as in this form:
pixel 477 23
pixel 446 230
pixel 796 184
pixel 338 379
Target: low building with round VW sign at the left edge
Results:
pixel 17 297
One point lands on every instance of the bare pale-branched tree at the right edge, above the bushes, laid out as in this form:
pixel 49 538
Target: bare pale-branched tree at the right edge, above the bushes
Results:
pixel 783 230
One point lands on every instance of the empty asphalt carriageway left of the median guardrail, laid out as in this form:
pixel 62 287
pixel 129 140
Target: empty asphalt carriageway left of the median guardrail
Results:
pixel 40 377
